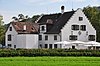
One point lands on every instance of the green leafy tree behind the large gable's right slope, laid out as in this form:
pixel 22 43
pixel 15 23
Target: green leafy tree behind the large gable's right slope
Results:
pixel 93 14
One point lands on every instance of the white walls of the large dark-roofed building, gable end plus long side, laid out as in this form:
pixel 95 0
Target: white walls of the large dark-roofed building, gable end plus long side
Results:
pixel 66 31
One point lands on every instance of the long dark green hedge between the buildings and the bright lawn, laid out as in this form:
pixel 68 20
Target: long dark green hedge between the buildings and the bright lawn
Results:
pixel 47 52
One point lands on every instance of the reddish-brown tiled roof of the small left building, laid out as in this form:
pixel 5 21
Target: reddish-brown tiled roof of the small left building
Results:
pixel 31 28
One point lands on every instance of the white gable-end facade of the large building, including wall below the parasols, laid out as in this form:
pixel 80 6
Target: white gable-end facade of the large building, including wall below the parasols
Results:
pixel 66 31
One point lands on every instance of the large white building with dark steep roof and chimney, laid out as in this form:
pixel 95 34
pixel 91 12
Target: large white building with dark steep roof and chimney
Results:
pixel 66 26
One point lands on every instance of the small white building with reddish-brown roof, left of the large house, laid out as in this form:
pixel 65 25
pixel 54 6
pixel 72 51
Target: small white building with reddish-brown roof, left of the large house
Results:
pixel 22 35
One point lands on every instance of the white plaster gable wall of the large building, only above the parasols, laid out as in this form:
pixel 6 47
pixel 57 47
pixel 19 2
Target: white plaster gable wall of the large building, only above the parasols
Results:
pixel 66 30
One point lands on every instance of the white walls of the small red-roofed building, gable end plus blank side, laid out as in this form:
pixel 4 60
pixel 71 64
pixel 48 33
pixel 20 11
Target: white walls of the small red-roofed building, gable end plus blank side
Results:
pixel 21 40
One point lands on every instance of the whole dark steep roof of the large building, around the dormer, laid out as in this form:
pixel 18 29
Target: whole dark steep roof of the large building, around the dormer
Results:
pixel 59 20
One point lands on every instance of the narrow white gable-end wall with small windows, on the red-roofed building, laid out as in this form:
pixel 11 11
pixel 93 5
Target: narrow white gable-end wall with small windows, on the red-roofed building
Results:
pixel 13 35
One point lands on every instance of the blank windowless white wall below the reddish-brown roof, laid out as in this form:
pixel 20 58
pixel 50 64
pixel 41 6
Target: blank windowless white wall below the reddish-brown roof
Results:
pixel 27 41
